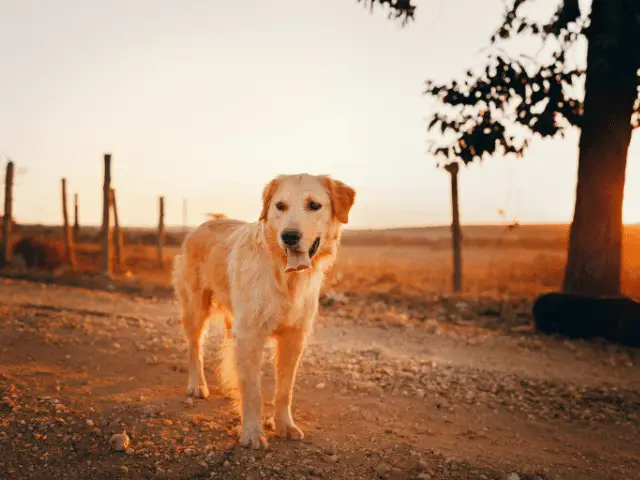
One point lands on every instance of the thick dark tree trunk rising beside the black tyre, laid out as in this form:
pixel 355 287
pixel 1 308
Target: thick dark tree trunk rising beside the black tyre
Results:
pixel 595 241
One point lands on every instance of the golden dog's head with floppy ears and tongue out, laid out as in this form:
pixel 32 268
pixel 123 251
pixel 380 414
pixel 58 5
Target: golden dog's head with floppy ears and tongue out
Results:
pixel 302 215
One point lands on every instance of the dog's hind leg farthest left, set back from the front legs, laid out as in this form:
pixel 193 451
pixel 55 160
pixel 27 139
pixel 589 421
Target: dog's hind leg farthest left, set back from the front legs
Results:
pixel 194 319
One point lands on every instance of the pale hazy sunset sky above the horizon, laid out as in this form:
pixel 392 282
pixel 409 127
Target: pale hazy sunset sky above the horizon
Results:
pixel 208 100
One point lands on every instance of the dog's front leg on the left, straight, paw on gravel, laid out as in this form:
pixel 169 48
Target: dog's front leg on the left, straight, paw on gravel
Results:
pixel 249 350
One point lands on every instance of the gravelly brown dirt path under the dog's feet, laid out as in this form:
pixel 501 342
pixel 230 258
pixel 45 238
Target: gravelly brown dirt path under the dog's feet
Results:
pixel 376 399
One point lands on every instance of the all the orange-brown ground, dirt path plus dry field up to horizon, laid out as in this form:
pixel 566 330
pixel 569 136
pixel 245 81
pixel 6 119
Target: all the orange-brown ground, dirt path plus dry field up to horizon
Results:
pixel 401 379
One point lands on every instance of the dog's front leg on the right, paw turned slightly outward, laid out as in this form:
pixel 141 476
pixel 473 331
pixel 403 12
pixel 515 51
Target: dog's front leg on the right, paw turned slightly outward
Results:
pixel 289 346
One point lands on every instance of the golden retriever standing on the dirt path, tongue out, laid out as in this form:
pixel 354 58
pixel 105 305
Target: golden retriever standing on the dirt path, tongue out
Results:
pixel 263 281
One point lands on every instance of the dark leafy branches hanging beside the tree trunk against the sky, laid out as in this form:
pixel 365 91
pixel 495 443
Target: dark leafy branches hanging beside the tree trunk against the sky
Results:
pixel 499 108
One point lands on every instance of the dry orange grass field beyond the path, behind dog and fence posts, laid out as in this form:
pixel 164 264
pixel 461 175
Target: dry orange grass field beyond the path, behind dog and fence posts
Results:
pixel 410 262
